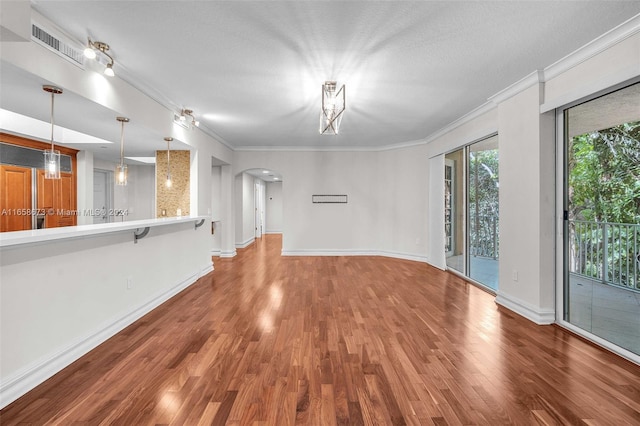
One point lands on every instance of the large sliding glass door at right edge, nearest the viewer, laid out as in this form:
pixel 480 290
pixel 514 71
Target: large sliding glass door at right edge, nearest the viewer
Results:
pixel 602 217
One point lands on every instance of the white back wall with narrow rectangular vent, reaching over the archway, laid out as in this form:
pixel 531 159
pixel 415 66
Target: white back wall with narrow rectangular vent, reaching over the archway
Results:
pixel 385 213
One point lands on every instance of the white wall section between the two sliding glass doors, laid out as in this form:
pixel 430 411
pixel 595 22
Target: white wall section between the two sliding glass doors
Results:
pixel 527 172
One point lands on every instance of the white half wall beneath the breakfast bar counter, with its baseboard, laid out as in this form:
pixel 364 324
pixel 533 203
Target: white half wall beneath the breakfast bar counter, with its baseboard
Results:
pixel 60 299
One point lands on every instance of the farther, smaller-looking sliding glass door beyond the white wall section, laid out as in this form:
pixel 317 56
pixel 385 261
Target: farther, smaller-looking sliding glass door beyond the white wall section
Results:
pixel 471 211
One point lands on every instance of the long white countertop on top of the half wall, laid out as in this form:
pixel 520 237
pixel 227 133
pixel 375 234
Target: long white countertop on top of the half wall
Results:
pixel 8 239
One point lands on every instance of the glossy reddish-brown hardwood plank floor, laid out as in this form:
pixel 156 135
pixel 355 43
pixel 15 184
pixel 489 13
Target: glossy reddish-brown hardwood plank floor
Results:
pixel 274 340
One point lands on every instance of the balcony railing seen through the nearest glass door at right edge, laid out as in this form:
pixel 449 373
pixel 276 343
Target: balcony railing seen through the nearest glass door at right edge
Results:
pixel 607 252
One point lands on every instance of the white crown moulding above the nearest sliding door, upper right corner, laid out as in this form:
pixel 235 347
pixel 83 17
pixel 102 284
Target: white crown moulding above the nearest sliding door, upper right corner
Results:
pixel 593 48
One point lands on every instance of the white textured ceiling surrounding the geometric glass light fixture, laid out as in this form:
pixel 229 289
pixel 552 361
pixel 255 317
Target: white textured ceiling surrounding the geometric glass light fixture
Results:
pixel 252 71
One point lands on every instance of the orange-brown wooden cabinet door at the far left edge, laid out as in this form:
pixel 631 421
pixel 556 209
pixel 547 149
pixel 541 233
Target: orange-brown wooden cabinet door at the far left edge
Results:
pixel 15 198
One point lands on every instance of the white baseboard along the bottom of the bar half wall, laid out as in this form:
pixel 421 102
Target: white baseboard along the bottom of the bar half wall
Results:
pixel 22 382
